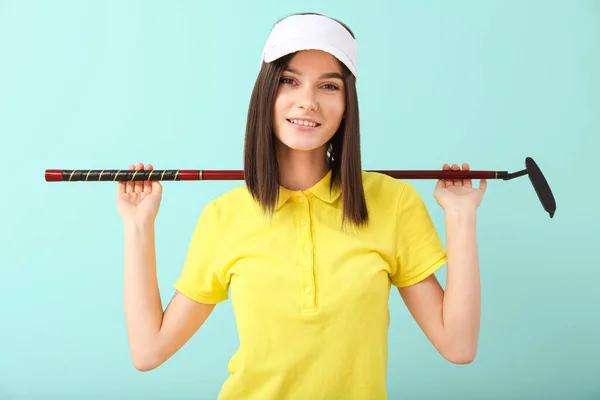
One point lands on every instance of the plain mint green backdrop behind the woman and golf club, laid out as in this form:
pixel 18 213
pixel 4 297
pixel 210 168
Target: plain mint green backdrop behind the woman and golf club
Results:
pixel 101 84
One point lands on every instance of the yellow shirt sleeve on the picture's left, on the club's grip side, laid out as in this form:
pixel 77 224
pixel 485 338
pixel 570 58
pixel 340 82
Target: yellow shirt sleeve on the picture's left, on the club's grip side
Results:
pixel 201 278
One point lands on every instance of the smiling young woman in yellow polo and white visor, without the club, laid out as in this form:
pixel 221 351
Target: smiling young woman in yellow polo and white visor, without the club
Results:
pixel 309 248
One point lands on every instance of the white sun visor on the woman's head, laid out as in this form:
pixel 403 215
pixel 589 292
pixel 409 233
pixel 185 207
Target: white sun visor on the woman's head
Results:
pixel 311 32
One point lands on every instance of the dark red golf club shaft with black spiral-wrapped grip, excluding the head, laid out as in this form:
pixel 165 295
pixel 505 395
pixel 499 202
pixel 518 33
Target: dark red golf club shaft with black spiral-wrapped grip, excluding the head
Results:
pixel 117 175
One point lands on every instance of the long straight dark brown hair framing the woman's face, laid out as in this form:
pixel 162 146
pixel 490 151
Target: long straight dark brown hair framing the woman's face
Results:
pixel 343 155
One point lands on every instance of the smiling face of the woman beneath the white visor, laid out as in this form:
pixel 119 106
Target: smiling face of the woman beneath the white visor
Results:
pixel 310 101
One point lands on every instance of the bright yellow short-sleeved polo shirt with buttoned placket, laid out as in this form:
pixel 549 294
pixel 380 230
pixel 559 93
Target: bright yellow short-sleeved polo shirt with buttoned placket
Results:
pixel 310 299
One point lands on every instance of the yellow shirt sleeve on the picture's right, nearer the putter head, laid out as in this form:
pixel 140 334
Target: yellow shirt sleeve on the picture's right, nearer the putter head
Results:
pixel 419 249
